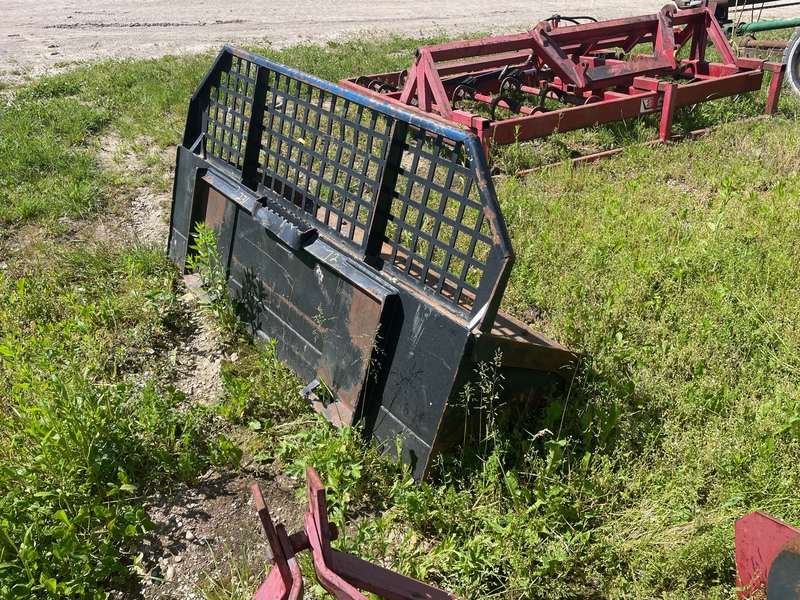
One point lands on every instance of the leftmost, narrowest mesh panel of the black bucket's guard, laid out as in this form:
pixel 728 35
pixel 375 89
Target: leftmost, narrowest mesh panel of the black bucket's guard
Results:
pixel 227 118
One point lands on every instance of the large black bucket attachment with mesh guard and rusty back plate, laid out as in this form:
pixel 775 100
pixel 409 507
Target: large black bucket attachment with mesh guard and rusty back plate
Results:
pixel 367 240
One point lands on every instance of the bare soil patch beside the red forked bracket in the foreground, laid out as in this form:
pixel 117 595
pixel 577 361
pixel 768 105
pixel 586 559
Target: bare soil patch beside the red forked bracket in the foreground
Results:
pixel 209 536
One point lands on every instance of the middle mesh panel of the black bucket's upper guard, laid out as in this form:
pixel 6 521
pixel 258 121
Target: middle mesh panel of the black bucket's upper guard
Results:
pixel 323 152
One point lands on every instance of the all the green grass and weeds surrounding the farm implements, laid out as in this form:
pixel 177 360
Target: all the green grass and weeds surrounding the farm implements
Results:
pixel 672 269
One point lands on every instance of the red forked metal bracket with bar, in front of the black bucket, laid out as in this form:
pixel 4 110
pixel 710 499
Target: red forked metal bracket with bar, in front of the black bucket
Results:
pixel 339 573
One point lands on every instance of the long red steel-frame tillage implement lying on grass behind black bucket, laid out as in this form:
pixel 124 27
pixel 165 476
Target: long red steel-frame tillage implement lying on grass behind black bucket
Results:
pixel 583 67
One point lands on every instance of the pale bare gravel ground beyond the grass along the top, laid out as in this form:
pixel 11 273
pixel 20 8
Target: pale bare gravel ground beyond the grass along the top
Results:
pixel 35 36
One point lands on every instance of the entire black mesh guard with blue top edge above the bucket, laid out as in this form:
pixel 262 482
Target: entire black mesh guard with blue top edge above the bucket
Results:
pixel 398 188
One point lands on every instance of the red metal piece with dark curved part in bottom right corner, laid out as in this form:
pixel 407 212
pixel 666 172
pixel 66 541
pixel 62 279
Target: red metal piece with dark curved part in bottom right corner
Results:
pixel 761 540
